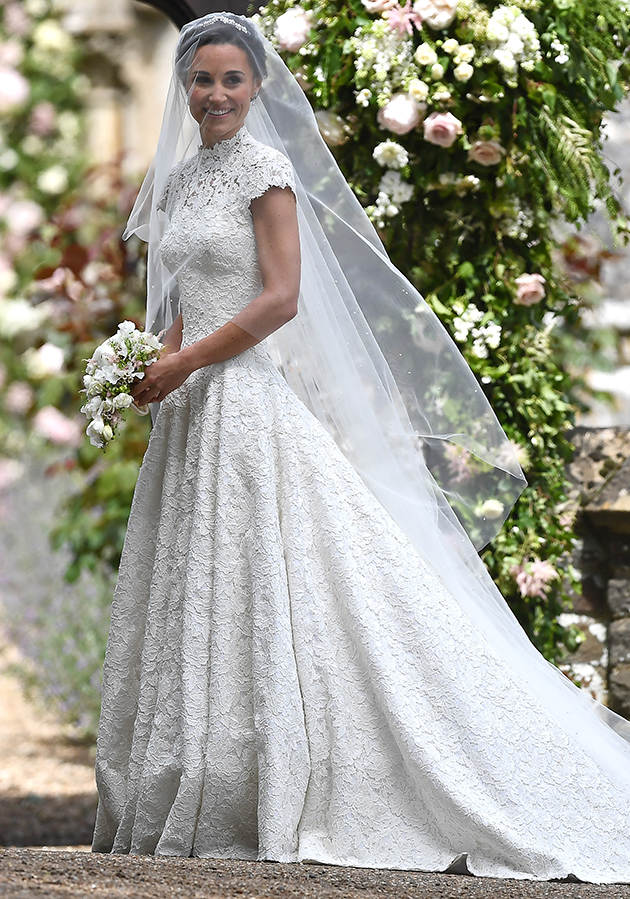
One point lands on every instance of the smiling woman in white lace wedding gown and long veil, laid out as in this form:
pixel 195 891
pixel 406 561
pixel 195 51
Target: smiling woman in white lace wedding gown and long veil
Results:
pixel 307 661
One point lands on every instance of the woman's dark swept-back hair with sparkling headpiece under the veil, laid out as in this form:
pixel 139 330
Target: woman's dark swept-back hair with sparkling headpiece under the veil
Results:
pixel 220 29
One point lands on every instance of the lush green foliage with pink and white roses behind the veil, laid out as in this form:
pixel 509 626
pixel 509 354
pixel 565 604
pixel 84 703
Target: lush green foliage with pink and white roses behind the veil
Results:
pixel 520 90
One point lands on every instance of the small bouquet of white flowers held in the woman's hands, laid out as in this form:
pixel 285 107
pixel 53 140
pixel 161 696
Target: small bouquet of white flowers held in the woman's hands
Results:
pixel 109 376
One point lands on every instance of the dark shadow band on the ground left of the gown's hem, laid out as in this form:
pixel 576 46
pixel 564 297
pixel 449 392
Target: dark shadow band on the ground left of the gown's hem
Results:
pixel 33 820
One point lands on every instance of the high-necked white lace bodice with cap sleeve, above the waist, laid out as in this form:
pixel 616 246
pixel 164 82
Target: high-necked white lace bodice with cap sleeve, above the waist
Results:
pixel 209 242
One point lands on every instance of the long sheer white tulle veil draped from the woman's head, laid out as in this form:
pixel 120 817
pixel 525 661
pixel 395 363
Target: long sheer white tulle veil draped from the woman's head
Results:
pixel 372 362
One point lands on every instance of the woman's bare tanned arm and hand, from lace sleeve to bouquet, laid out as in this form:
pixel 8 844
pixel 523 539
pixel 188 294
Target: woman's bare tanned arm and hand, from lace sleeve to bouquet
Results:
pixel 277 240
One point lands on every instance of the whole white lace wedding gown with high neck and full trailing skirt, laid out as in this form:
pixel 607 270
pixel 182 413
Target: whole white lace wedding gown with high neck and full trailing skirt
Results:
pixel 285 677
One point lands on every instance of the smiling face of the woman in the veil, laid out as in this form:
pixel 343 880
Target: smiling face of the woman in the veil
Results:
pixel 220 90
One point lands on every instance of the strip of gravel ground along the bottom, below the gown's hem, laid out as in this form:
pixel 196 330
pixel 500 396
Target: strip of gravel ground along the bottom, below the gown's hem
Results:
pixel 47 874
